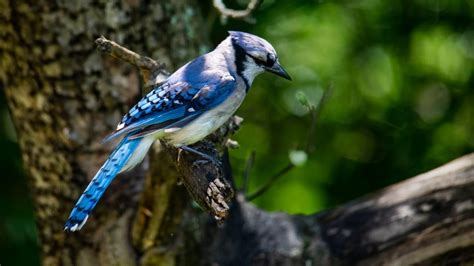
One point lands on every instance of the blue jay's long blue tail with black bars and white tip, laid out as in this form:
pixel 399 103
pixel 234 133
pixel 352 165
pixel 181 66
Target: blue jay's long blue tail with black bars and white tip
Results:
pixel 127 154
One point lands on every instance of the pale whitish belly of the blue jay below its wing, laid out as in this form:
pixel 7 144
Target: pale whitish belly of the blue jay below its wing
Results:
pixel 206 123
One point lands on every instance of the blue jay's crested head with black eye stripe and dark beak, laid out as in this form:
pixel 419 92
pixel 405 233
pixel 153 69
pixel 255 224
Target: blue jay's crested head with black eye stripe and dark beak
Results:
pixel 254 55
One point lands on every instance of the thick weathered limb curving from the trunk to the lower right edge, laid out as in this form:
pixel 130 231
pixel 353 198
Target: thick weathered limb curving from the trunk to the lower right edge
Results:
pixel 426 220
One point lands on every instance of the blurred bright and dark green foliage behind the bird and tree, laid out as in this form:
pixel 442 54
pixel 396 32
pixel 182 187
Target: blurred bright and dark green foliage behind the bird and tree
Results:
pixel 402 103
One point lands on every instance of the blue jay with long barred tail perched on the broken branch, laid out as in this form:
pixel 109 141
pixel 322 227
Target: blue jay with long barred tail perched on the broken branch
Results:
pixel 193 102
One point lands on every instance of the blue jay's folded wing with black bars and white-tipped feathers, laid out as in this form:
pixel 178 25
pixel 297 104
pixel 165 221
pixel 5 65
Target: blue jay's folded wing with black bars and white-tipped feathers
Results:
pixel 174 104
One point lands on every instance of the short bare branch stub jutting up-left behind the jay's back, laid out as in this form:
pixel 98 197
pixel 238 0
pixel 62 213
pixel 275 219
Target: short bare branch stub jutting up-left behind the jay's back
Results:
pixel 149 68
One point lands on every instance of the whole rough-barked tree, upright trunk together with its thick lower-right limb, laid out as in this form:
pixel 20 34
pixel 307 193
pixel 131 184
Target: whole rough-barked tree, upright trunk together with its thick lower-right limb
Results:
pixel 59 88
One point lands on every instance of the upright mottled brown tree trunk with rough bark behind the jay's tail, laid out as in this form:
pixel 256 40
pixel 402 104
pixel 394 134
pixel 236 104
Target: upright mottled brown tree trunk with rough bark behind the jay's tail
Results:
pixel 64 97
